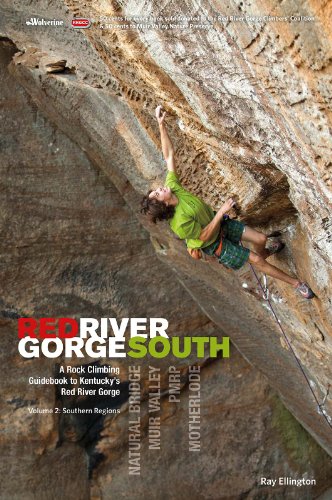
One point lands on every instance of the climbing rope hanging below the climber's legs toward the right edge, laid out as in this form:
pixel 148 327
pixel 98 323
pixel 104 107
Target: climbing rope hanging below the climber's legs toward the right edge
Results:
pixel 265 291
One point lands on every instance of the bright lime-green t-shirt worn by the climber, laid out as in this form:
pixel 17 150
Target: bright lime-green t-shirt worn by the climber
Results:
pixel 191 215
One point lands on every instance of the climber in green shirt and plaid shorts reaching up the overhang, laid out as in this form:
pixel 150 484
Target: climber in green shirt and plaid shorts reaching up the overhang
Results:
pixel 207 231
